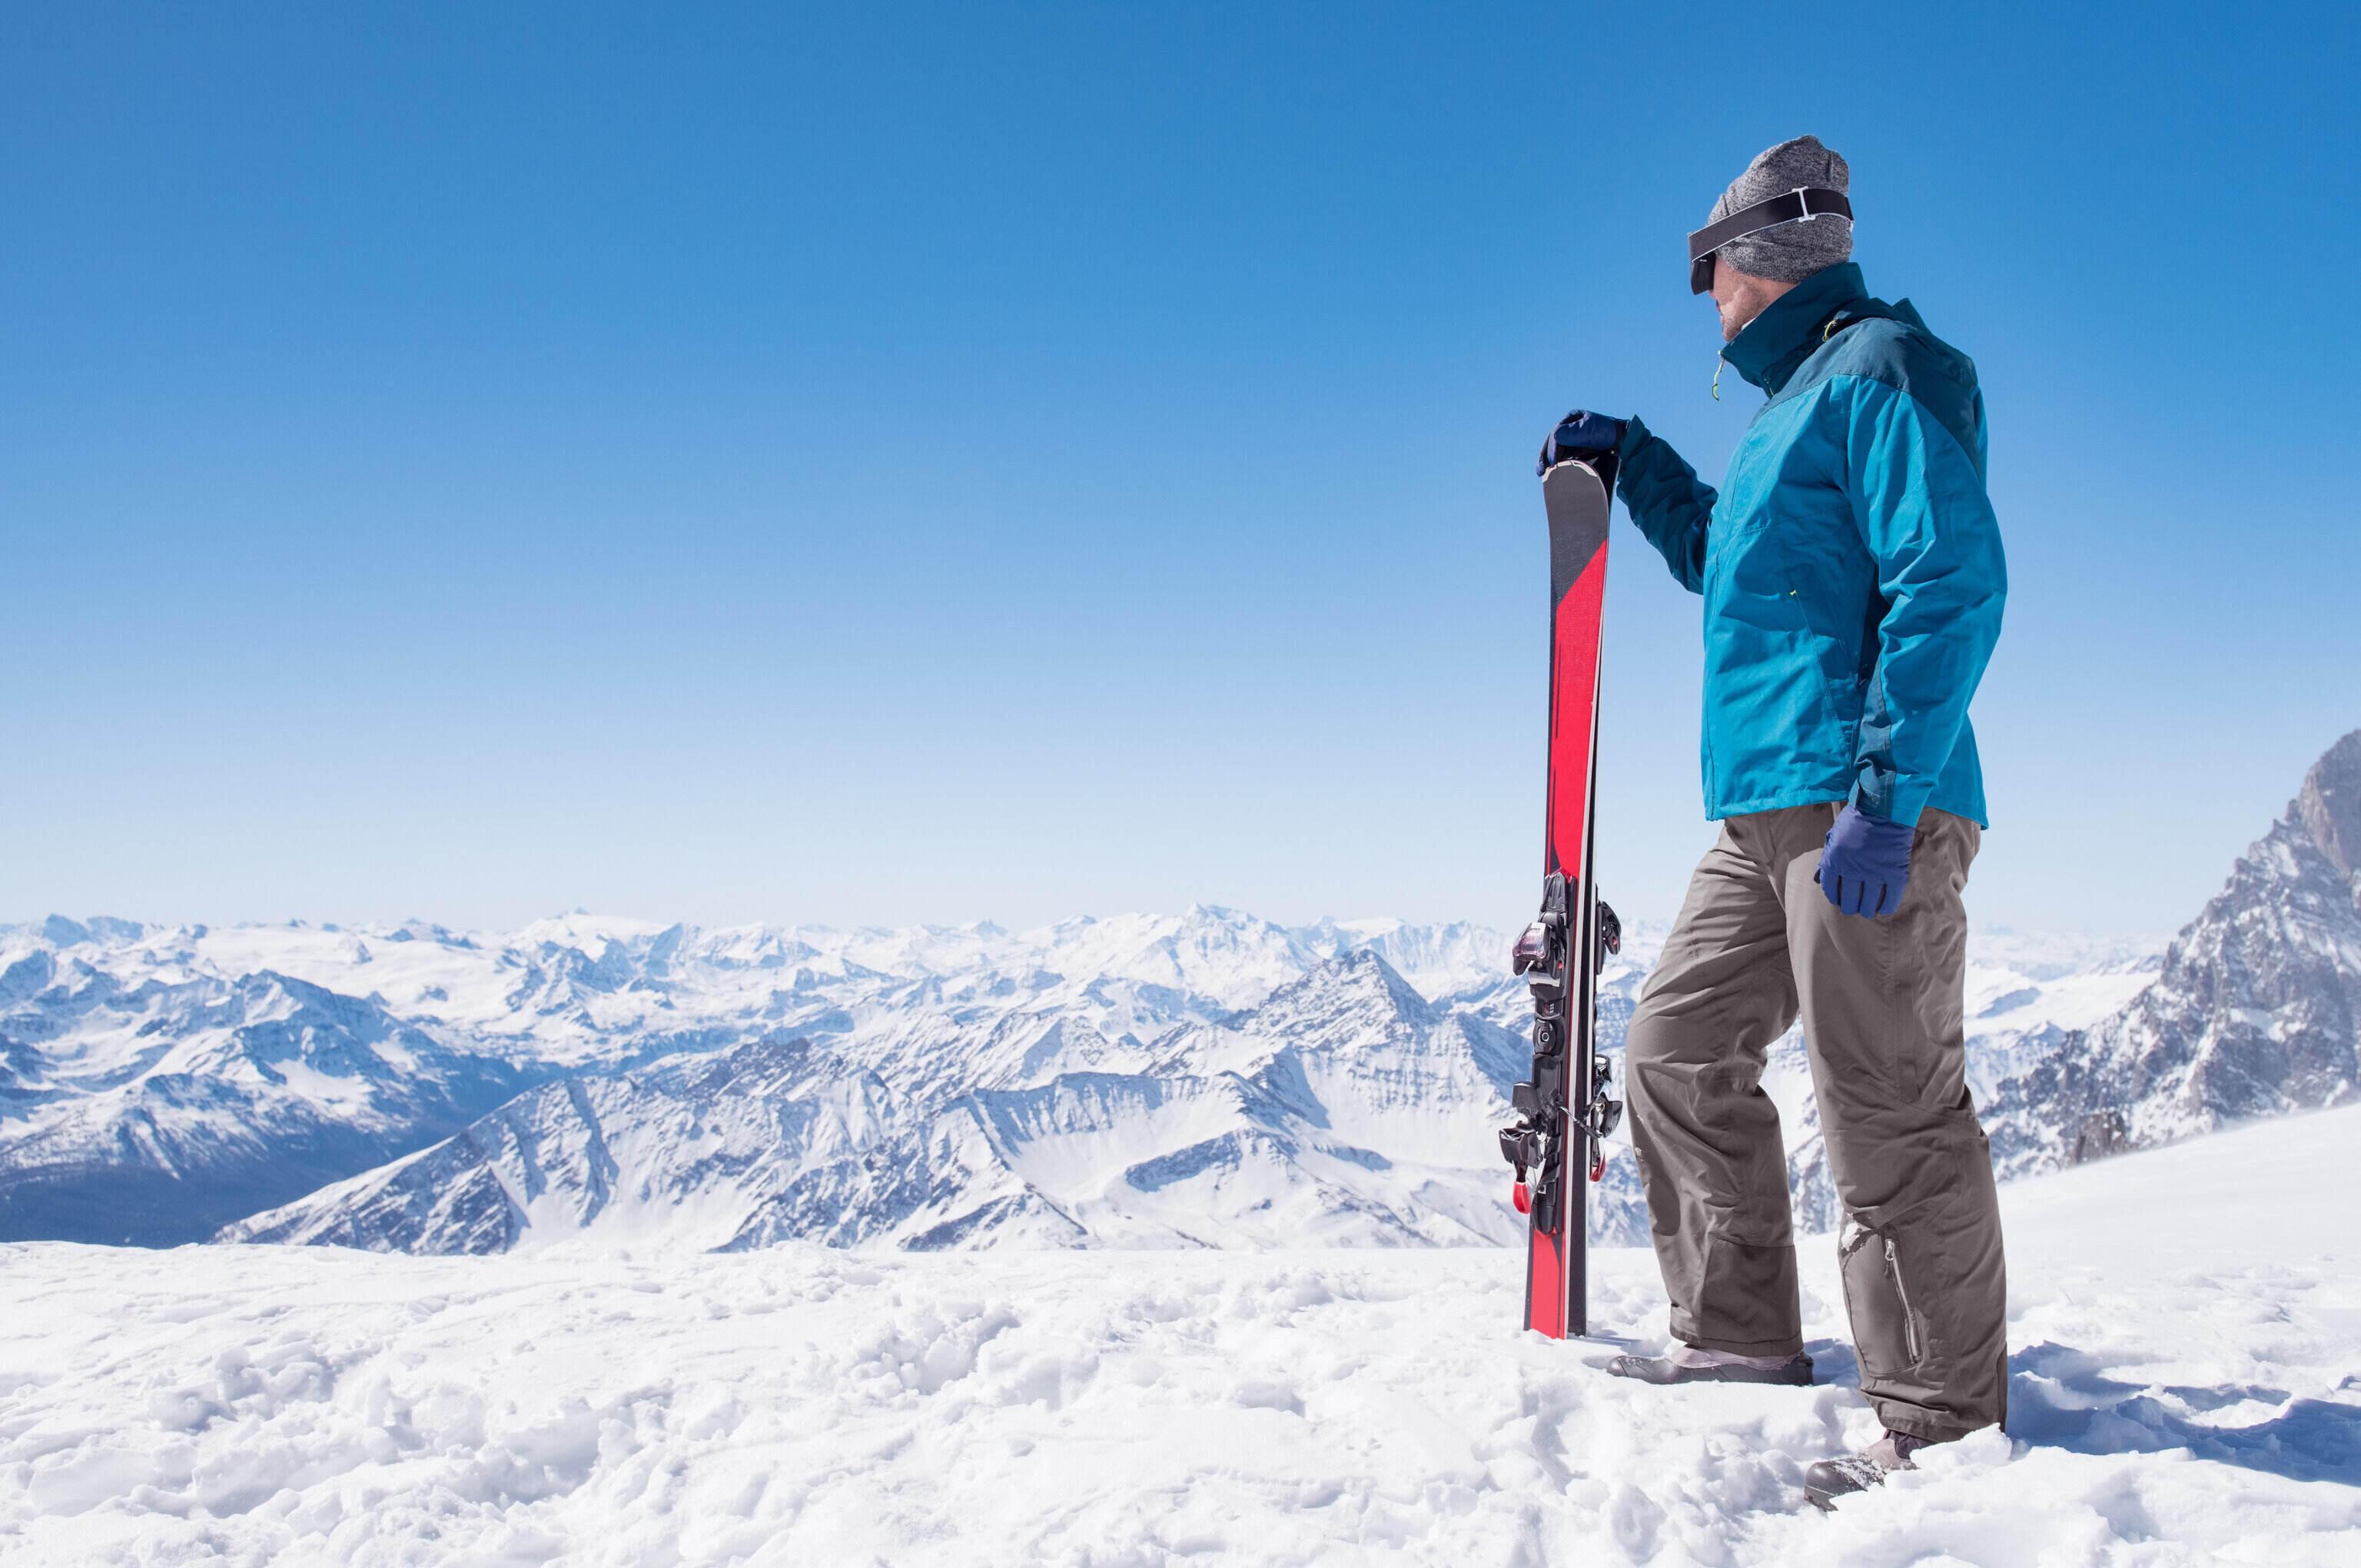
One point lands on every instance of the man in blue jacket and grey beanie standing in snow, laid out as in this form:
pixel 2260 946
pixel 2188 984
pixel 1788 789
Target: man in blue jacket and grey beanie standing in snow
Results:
pixel 1852 584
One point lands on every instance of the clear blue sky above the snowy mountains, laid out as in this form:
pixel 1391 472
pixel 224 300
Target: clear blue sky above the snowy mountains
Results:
pixel 1012 462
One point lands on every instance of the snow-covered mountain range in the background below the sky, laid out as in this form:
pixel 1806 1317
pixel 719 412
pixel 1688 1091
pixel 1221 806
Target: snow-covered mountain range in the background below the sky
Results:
pixel 1132 1083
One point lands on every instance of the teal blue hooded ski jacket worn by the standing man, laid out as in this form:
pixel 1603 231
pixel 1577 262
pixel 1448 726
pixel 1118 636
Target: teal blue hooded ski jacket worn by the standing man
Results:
pixel 1850 566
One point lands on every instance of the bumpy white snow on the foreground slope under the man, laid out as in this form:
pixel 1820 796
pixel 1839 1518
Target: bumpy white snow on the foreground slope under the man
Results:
pixel 2187 1390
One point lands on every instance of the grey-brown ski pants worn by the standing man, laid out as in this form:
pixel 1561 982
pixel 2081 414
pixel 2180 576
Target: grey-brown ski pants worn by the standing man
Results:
pixel 1883 1026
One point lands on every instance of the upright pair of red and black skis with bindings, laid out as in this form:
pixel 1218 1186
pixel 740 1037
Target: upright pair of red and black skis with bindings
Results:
pixel 1564 1109
